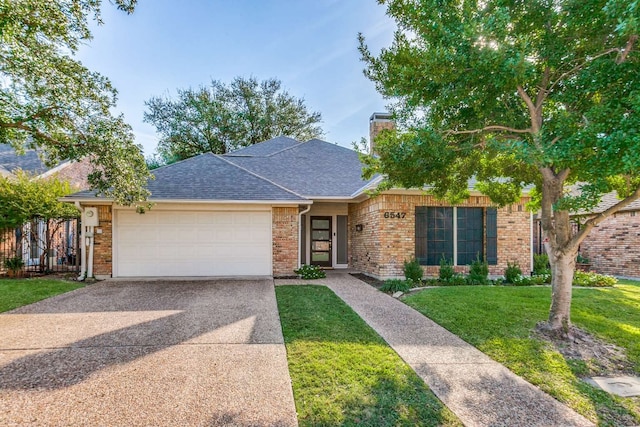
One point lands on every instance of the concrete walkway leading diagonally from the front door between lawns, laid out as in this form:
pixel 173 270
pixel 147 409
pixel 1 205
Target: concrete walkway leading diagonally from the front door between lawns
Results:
pixel 480 391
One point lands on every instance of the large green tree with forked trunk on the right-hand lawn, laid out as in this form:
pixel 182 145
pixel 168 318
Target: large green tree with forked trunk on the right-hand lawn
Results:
pixel 515 93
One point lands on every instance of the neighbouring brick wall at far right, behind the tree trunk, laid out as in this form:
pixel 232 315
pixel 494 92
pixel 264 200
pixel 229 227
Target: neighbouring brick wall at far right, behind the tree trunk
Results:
pixel 614 246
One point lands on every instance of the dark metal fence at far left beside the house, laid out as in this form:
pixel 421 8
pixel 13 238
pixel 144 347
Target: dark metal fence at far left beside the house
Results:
pixel 42 246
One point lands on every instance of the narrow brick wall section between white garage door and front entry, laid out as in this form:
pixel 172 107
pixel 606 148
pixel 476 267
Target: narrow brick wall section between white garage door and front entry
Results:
pixel 285 240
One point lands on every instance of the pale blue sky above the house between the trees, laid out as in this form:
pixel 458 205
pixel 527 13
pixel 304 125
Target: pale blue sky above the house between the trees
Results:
pixel 310 45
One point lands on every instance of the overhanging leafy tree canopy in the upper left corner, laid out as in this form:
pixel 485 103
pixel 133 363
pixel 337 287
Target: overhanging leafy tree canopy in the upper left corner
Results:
pixel 50 101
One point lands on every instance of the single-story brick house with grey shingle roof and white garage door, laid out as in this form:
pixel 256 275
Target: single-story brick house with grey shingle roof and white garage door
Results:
pixel 265 209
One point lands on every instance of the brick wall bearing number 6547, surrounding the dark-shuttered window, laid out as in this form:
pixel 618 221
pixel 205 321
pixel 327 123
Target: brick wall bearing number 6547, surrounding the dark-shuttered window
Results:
pixel 383 245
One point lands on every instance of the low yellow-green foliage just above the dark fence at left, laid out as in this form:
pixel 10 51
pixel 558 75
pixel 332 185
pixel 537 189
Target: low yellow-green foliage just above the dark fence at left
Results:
pixel 24 198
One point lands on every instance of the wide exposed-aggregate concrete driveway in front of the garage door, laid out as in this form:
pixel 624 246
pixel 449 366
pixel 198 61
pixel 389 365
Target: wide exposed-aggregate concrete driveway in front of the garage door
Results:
pixel 147 353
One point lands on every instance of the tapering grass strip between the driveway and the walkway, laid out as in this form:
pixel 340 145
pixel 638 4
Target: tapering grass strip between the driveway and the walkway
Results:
pixel 343 373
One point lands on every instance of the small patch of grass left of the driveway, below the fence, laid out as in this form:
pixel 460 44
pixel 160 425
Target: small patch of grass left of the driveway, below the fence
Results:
pixel 15 293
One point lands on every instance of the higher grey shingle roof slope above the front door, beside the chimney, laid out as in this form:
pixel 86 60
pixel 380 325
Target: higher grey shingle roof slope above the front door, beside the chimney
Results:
pixel 313 169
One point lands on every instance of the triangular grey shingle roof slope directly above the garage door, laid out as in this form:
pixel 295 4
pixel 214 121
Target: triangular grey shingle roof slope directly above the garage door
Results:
pixel 210 177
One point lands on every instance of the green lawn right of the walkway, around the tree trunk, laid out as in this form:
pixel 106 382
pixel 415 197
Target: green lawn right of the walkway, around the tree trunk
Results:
pixel 499 321
